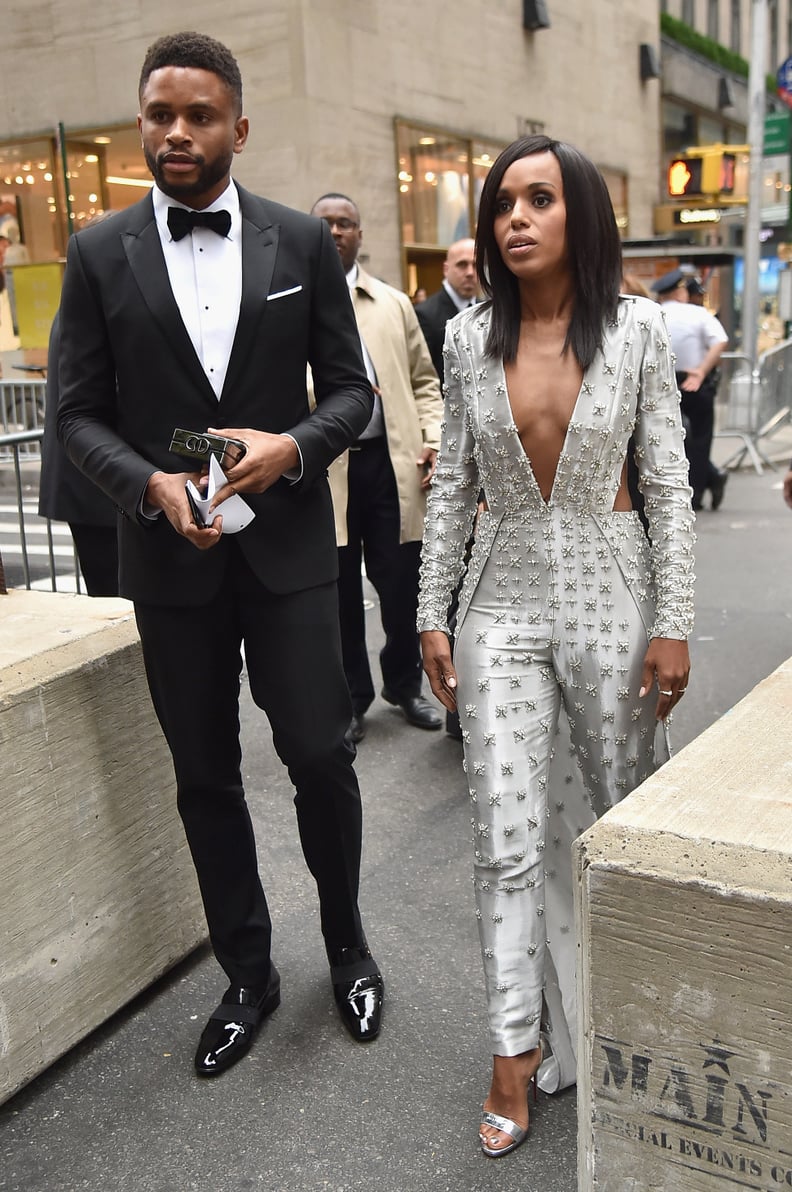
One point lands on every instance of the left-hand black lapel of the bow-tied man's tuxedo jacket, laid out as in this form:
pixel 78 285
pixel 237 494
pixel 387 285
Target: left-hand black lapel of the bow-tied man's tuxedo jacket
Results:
pixel 147 263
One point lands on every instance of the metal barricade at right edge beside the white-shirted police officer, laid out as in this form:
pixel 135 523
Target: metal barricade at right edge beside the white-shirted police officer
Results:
pixel 753 402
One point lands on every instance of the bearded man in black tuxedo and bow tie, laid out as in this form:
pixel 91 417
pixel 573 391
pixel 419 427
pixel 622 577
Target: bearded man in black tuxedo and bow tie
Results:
pixel 172 319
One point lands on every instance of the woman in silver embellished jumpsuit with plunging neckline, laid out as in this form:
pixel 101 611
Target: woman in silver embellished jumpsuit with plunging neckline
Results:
pixel 570 617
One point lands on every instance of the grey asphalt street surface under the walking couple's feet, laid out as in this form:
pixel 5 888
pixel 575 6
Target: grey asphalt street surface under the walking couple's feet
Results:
pixel 310 1110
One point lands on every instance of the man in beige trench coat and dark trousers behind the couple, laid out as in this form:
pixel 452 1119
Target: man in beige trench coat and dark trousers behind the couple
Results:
pixel 380 486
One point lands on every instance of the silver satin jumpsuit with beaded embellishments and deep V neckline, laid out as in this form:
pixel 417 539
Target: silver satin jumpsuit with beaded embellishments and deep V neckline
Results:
pixel 558 609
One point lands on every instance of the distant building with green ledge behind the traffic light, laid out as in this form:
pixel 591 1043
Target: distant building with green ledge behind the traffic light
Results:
pixel 706 47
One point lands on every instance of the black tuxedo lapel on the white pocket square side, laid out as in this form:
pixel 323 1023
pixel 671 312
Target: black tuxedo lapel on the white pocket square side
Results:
pixel 259 251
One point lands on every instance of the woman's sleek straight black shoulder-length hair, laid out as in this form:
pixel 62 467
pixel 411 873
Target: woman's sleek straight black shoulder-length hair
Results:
pixel 592 241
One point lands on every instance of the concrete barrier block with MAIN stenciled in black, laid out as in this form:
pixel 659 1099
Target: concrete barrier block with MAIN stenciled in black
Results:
pixel 685 967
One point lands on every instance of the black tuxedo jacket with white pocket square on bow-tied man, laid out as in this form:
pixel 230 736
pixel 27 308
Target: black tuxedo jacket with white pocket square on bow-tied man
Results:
pixel 129 376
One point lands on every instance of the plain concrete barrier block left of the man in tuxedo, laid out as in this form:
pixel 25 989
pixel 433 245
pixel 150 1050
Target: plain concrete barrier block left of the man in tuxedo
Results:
pixel 98 897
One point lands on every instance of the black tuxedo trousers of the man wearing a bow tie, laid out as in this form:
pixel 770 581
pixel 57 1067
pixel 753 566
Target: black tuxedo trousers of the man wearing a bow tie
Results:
pixel 194 667
